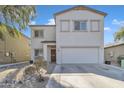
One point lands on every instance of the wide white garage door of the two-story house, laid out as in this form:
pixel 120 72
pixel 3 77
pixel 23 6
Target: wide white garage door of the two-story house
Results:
pixel 79 55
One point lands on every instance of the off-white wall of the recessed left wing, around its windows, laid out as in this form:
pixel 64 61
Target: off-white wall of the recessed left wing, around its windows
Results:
pixel 49 35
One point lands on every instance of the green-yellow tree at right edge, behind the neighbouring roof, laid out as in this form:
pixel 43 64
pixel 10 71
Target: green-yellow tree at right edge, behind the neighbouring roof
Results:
pixel 119 35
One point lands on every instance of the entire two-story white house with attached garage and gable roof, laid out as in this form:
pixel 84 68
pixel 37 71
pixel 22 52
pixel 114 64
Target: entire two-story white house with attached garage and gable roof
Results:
pixel 77 37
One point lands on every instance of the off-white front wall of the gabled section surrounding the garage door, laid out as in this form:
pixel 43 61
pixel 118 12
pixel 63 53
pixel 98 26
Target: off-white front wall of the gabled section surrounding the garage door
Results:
pixel 80 39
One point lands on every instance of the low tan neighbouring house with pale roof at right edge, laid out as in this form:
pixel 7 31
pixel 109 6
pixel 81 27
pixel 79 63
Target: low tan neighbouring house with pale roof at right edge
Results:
pixel 113 51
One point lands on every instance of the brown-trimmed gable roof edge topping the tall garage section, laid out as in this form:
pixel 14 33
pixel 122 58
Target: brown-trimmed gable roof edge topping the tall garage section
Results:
pixel 81 7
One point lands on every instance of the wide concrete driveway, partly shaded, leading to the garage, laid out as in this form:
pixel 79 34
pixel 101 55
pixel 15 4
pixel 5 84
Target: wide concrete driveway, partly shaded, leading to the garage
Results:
pixel 86 76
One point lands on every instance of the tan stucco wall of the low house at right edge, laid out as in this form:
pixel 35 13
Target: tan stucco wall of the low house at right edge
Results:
pixel 116 51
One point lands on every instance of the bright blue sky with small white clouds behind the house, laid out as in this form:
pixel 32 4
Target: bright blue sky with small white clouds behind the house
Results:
pixel 113 21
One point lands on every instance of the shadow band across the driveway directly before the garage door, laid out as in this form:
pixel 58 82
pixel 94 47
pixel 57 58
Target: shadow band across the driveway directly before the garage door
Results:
pixel 90 68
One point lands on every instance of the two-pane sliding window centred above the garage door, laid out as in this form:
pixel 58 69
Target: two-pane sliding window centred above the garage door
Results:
pixel 80 25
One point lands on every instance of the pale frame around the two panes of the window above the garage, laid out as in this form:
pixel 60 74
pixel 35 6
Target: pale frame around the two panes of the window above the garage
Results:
pixel 81 30
